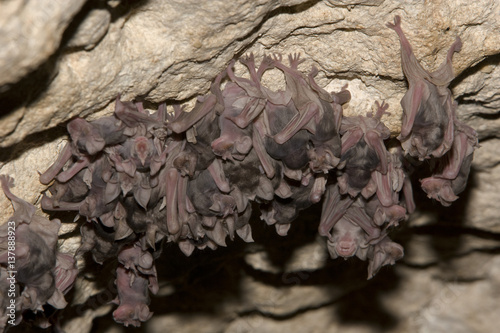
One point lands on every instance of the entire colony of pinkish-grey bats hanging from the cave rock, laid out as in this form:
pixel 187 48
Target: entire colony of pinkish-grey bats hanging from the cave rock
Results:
pixel 194 178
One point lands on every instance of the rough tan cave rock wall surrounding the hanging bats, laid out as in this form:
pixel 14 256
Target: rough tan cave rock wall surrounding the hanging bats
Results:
pixel 81 55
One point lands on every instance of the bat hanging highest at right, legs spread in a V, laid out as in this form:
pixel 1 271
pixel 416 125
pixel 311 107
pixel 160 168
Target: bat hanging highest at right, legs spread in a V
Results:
pixel 428 105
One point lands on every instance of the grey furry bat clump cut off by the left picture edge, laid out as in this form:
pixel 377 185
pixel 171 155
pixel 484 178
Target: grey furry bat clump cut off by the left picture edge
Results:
pixel 42 274
